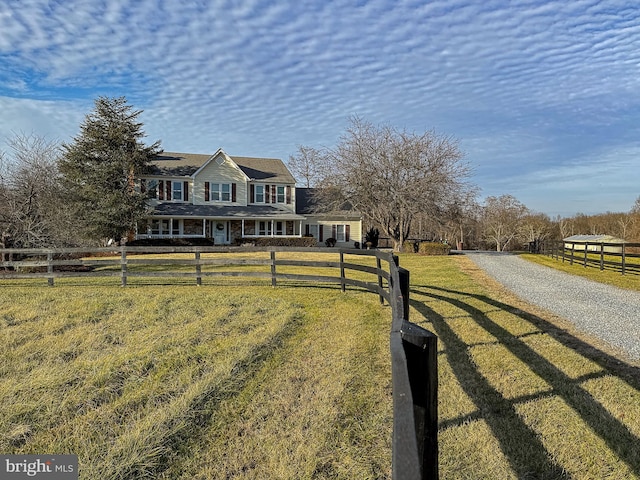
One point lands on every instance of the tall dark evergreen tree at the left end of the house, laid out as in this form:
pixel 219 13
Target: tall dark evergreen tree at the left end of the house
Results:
pixel 100 166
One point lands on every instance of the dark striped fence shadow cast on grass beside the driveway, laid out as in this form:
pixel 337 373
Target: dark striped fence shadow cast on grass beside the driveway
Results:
pixel 527 454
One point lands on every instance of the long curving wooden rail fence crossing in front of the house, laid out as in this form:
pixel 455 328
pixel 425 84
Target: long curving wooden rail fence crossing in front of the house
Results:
pixel 413 349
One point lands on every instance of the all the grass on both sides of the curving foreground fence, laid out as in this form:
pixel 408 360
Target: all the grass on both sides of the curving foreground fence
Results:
pixel 248 381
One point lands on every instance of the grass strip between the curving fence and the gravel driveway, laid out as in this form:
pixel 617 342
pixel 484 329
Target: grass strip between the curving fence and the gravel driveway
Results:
pixel 522 395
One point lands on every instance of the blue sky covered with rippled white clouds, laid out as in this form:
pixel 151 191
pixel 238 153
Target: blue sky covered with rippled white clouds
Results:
pixel 543 97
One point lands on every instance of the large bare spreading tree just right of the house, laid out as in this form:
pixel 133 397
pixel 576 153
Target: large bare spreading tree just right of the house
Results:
pixel 392 176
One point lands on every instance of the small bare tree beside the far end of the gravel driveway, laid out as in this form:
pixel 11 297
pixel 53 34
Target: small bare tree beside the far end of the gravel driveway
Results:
pixel 502 220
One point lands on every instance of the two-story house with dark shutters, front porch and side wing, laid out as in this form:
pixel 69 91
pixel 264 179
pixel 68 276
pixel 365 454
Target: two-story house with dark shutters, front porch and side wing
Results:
pixel 228 198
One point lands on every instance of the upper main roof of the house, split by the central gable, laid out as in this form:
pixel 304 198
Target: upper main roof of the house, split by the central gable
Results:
pixel 186 164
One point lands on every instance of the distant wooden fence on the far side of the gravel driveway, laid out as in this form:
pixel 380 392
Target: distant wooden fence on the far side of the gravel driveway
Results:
pixel 622 257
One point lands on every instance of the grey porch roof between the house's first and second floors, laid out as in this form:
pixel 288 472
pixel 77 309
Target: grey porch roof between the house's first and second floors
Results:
pixel 170 209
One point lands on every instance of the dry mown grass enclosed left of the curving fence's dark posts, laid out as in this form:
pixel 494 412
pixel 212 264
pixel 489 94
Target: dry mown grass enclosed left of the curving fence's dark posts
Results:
pixel 163 382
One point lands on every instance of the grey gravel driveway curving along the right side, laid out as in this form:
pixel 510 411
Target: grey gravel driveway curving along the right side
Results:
pixel 610 313
